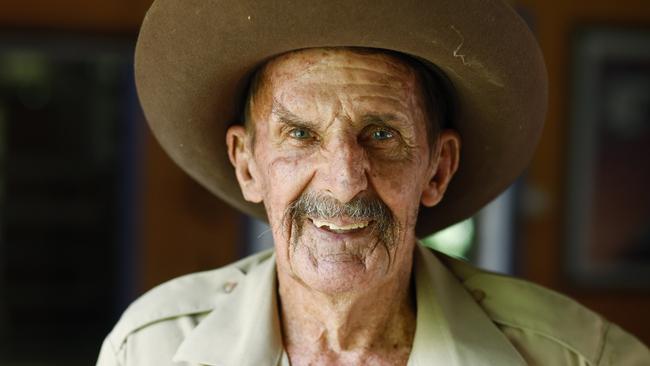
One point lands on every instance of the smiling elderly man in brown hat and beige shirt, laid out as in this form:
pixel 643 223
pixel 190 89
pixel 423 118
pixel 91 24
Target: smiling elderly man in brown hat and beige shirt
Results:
pixel 346 141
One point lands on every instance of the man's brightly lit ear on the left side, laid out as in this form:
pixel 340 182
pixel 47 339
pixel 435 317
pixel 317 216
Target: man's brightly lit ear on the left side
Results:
pixel 241 157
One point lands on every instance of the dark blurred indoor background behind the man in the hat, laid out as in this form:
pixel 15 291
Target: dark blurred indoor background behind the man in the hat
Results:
pixel 93 213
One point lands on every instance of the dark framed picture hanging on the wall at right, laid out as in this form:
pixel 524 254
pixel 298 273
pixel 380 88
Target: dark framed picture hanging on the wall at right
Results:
pixel 608 193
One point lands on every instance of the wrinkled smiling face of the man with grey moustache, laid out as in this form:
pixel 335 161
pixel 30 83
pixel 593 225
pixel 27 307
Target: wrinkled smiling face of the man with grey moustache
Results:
pixel 341 162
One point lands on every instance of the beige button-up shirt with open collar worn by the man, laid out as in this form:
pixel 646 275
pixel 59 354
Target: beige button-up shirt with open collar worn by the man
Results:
pixel 465 316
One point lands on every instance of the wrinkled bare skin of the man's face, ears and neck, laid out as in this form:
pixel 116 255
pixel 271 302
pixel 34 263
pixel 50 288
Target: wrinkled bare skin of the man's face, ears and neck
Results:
pixel 343 125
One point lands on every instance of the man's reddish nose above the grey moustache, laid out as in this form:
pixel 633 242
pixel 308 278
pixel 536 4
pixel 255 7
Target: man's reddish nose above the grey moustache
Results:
pixel 344 169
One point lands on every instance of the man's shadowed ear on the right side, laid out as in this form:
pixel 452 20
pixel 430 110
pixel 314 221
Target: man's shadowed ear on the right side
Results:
pixel 444 163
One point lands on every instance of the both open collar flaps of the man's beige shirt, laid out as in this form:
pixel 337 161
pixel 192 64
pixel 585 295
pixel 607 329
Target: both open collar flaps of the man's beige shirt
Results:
pixel 452 329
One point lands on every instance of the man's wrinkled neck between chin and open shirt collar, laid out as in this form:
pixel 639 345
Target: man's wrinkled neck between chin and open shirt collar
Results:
pixel 375 326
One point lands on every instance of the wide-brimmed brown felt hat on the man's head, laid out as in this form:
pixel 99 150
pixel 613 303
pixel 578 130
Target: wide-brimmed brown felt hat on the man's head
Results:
pixel 194 59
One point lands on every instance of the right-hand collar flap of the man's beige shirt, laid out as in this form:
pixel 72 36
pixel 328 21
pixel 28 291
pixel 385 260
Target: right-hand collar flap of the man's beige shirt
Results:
pixel 452 329
